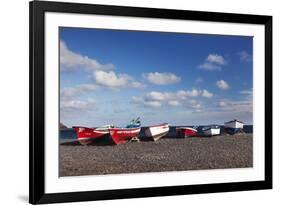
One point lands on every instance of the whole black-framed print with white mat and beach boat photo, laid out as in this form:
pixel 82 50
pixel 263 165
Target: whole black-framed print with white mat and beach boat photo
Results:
pixel 141 102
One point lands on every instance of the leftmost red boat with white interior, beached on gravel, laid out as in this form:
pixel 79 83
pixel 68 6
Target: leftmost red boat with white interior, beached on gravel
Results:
pixel 86 135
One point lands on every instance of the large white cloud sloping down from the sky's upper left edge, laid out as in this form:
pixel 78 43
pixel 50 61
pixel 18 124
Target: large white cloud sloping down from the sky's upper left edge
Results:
pixel 72 61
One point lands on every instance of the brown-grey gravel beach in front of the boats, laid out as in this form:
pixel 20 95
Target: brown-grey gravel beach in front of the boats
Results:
pixel 168 154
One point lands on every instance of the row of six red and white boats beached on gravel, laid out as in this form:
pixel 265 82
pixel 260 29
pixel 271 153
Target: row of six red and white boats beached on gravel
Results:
pixel 120 135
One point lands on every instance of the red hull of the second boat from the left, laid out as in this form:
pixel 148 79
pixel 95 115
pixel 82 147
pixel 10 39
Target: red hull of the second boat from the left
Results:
pixel 123 135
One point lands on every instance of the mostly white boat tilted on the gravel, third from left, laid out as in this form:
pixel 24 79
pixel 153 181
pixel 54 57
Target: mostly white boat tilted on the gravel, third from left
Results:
pixel 157 131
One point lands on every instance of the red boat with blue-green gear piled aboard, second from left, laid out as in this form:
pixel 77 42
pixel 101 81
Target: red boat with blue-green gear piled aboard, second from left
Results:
pixel 121 135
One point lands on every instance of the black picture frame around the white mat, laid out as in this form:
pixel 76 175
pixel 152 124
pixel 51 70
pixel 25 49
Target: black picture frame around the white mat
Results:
pixel 37 194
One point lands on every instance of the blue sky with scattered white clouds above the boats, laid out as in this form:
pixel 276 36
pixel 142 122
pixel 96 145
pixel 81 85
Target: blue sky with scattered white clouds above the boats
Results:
pixel 112 76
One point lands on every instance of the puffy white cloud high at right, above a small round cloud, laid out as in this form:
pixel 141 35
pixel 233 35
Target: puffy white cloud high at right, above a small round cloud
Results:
pixel 213 62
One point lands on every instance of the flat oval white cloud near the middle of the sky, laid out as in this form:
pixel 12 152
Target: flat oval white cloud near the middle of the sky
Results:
pixel 162 78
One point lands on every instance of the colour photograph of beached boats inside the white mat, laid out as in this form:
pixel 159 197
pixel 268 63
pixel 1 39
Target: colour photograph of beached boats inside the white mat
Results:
pixel 136 101
